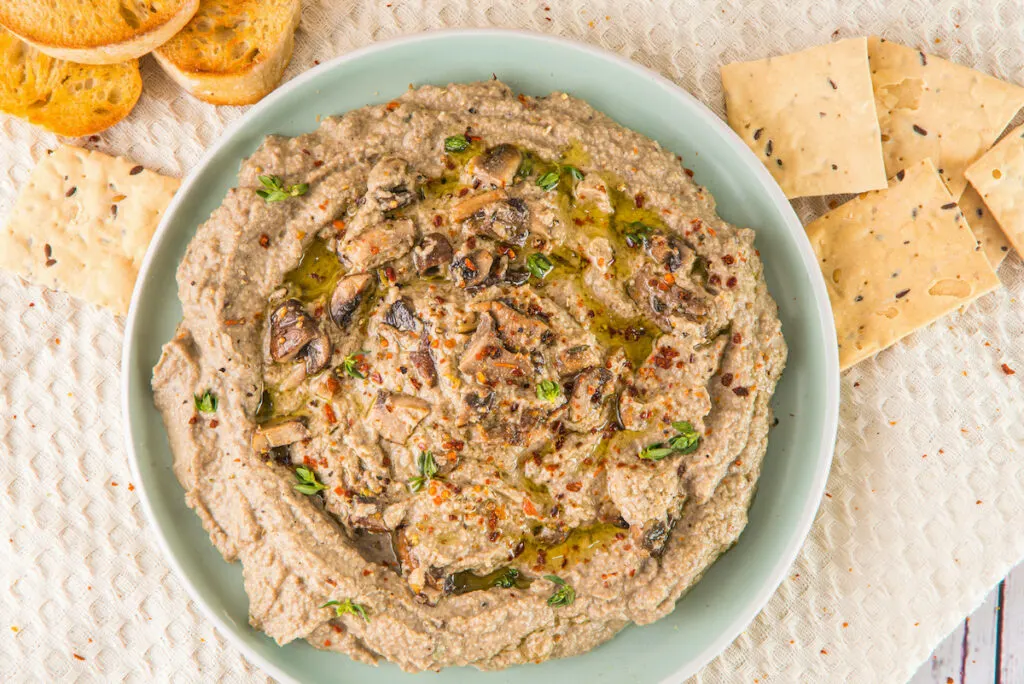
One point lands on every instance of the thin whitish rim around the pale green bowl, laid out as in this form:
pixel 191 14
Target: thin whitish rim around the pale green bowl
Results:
pixel 798 537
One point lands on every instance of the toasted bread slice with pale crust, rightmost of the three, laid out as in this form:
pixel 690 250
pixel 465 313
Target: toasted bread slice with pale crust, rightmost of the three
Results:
pixel 233 52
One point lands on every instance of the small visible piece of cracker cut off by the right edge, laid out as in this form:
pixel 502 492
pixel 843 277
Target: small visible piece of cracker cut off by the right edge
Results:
pixel 999 178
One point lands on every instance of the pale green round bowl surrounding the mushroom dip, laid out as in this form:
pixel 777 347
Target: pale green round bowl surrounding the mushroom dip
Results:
pixel 799 450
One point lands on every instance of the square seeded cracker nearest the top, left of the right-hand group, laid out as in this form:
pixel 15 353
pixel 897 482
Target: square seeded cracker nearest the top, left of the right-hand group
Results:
pixel 810 118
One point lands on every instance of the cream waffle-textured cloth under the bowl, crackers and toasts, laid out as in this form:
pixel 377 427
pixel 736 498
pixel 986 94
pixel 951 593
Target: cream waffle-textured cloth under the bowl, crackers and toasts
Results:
pixel 923 508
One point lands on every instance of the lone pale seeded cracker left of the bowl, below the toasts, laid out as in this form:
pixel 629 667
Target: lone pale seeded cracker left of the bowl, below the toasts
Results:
pixel 82 225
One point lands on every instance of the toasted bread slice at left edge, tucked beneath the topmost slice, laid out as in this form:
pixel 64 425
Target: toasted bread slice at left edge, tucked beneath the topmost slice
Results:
pixel 67 99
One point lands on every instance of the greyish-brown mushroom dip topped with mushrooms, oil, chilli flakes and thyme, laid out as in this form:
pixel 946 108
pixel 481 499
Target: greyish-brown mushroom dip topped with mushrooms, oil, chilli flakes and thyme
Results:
pixel 468 378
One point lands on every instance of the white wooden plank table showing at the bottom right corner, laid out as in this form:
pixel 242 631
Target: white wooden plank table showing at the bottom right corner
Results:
pixel 989 647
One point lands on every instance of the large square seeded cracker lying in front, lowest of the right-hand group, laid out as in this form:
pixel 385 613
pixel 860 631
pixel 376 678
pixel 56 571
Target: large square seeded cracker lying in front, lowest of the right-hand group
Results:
pixel 895 261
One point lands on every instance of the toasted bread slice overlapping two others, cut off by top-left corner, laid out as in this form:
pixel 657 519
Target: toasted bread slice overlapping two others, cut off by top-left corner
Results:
pixel 98 32
